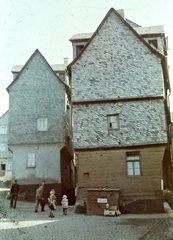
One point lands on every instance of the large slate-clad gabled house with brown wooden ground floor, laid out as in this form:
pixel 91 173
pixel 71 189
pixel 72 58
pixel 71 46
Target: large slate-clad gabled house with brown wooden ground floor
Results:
pixel 120 88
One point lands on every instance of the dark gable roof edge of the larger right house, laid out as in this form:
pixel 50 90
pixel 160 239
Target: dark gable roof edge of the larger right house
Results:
pixel 127 24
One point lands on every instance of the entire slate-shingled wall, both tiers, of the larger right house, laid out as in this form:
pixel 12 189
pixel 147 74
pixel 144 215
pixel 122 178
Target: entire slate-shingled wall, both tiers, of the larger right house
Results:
pixel 118 65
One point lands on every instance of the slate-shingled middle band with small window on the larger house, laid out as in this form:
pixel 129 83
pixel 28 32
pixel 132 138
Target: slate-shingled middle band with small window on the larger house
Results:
pixel 141 122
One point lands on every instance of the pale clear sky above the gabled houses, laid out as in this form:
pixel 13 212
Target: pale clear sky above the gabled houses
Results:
pixel 47 25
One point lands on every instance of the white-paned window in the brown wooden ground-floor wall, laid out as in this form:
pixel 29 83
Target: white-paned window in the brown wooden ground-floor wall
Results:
pixel 133 164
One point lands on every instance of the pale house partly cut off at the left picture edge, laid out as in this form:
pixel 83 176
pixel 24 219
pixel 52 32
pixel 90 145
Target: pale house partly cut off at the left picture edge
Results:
pixel 5 154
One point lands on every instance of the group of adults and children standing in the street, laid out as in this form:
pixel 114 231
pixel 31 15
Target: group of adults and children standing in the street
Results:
pixel 40 199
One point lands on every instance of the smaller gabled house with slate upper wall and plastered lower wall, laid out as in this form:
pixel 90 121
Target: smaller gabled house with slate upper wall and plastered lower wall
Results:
pixel 40 128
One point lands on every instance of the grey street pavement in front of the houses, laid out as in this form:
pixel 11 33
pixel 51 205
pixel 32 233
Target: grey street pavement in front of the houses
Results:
pixel 23 223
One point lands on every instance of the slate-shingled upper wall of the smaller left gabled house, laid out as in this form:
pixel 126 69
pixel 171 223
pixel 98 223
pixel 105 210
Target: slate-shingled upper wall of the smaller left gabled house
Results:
pixel 37 93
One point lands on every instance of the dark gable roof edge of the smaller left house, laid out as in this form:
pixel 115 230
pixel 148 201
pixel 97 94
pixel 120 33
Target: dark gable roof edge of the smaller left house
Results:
pixel 32 56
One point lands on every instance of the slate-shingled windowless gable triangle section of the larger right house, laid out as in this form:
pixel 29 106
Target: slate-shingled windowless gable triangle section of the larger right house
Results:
pixel 116 64
